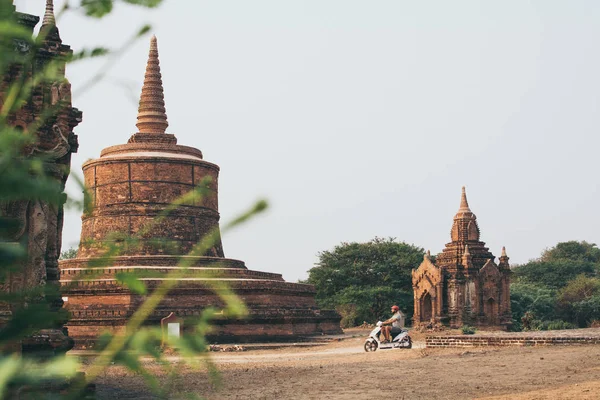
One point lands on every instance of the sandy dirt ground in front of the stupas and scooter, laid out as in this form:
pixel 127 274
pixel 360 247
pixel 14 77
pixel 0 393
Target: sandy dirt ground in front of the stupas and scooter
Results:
pixel 342 370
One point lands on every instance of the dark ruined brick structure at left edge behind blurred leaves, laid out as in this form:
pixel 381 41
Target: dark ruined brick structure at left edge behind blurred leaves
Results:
pixel 48 114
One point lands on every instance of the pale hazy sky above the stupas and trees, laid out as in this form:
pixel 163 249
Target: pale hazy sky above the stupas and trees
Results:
pixel 357 119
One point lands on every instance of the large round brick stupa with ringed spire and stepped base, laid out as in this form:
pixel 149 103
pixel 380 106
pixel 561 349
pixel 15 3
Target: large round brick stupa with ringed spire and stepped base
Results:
pixel 130 185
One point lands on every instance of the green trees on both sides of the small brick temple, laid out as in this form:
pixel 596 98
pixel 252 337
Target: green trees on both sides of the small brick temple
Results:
pixel 560 289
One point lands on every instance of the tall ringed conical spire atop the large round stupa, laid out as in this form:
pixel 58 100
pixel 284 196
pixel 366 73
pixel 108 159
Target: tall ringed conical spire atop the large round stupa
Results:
pixel 152 117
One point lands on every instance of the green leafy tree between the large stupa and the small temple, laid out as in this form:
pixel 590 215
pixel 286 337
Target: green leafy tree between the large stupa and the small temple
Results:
pixel 362 280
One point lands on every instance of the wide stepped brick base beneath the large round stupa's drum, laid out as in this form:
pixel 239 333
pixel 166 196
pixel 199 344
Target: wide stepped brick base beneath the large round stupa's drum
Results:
pixel 277 310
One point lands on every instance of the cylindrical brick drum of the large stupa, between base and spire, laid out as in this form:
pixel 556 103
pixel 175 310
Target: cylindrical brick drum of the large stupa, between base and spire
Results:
pixel 129 193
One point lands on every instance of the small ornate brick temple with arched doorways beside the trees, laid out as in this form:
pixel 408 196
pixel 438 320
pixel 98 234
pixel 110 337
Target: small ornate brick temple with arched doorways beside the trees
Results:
pixel 464 285
